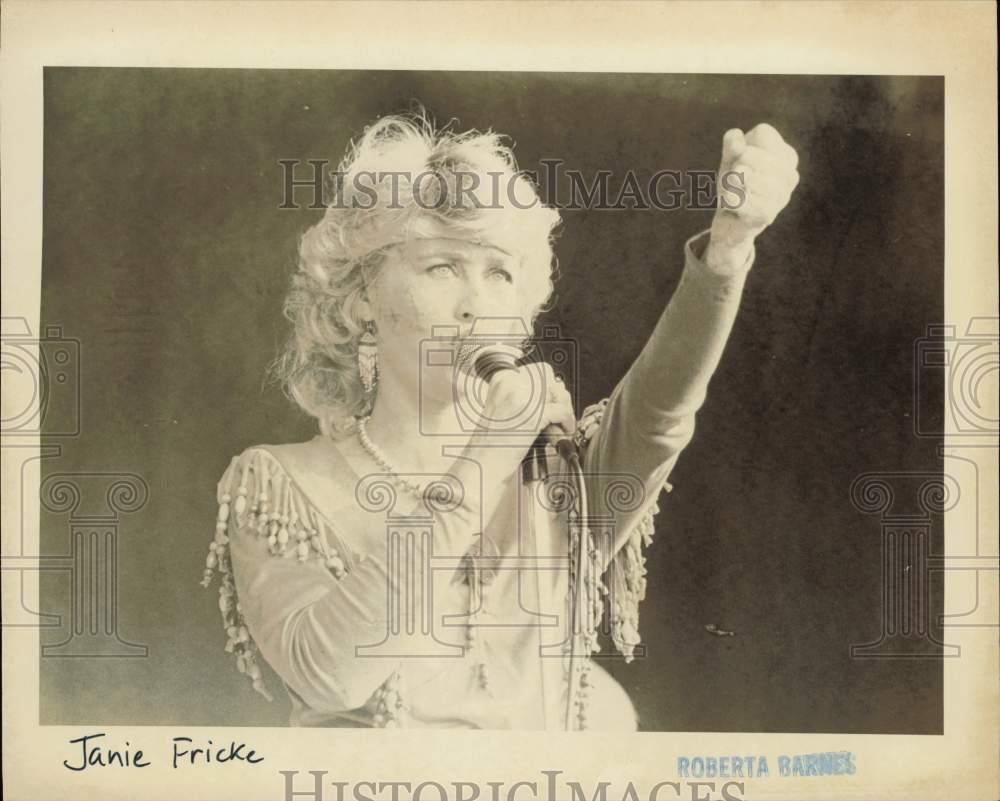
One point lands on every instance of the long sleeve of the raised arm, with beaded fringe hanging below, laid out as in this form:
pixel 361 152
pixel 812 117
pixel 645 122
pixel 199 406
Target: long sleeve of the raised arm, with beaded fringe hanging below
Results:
pixel 650 418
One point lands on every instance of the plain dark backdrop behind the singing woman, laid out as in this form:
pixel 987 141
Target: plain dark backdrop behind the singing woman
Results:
pixel 166 256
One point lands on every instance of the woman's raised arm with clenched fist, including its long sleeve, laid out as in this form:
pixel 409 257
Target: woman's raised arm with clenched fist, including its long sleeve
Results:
pixel 650 416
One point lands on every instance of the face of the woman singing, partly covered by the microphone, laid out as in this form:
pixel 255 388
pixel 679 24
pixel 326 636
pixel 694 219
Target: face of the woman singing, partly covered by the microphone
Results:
pixel 442 283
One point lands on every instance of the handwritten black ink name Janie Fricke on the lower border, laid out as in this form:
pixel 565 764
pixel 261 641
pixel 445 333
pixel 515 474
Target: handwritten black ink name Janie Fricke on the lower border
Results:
pixel 93 752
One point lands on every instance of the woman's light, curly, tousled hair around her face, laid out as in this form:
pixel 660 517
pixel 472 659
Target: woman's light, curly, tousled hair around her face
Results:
pixel 383 198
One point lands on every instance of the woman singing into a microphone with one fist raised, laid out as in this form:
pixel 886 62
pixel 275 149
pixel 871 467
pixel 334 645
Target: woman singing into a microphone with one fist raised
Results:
pixel 489 618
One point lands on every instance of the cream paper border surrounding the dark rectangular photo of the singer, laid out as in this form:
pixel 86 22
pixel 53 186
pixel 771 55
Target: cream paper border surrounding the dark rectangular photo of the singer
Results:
pixel 955 40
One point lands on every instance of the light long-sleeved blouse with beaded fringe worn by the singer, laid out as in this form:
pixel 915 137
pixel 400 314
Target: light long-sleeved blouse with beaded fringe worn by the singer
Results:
pixel 375 611
